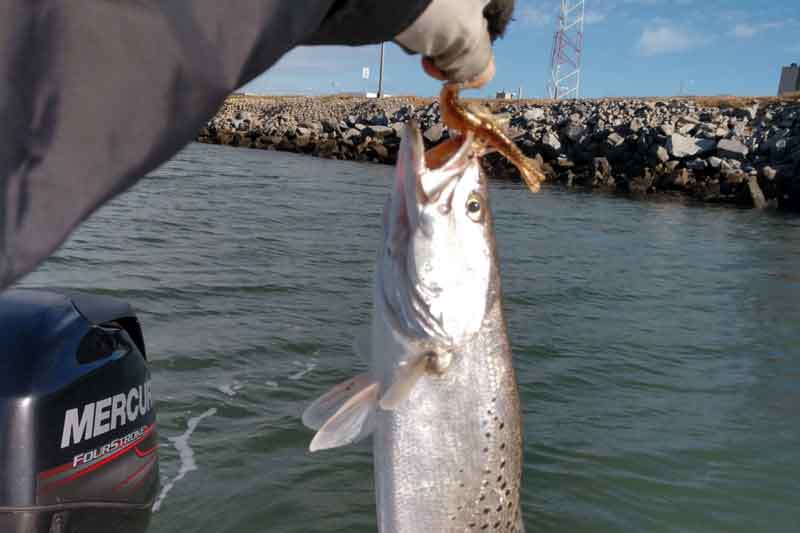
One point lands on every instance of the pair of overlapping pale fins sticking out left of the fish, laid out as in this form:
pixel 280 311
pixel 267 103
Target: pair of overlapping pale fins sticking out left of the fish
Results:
pixel 344 415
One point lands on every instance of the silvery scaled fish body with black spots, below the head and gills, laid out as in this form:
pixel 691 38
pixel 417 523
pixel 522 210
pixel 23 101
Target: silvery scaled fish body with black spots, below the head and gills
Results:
pixel 468 421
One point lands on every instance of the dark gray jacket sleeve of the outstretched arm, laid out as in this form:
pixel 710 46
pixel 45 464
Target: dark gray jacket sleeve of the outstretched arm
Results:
pixel 97 93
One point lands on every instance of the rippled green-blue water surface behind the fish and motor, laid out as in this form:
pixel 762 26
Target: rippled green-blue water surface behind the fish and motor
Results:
pixel 657 345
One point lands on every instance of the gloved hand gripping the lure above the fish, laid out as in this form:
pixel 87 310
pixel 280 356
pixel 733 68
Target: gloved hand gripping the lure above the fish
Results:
pixel 455 38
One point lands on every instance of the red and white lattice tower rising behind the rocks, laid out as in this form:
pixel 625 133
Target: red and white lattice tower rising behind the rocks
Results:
pixel 565 64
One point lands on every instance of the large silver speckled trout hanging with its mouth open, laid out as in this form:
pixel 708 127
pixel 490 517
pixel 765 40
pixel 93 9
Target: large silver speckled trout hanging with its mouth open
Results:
pixel 440 398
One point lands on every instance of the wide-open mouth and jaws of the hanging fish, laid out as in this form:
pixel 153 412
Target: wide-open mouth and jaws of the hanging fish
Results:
pixel 423 179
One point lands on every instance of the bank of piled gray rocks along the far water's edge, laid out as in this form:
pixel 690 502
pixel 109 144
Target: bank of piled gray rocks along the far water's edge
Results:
pixel 721 150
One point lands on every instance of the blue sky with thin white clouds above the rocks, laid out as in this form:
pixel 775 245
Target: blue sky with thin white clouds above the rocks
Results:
pixel 631 48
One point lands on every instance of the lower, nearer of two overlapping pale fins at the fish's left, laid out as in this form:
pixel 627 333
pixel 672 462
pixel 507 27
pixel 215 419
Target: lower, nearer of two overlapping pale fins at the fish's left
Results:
pixel 353 421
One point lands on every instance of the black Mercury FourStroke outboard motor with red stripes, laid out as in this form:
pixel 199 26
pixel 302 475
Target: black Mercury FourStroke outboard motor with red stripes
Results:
pixel 78 446
